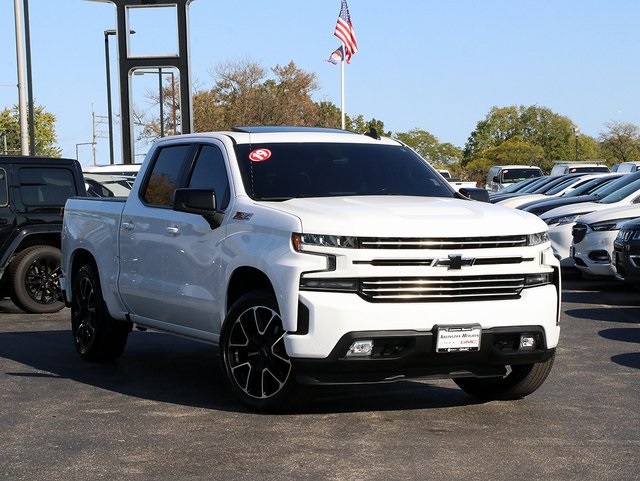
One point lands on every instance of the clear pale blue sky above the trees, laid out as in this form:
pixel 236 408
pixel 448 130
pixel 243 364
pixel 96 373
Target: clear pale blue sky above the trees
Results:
pixel 435 65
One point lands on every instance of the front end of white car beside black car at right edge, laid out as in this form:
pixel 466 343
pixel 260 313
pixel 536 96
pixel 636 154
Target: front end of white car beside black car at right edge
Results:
pixel 593 236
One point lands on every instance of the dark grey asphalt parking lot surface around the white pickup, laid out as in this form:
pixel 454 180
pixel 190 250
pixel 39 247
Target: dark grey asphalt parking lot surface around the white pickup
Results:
pixel 162 412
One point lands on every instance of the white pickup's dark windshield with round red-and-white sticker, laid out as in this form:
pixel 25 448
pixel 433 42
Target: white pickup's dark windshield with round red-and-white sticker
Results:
pixel 281 171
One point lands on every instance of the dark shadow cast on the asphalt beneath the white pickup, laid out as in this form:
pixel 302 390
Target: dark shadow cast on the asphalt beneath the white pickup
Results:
pixel 166 368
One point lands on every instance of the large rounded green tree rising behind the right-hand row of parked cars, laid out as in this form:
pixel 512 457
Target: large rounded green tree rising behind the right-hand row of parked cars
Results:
pixel 533 125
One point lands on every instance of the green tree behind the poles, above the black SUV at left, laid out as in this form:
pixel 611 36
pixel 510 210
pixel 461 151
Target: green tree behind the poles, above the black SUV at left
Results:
pixel 44 127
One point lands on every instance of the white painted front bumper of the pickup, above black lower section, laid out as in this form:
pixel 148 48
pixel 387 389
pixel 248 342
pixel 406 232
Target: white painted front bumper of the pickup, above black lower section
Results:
pixel 332 316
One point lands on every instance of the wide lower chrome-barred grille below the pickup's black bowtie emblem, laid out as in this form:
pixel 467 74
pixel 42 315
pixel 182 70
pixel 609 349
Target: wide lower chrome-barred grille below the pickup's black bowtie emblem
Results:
pixel 430 289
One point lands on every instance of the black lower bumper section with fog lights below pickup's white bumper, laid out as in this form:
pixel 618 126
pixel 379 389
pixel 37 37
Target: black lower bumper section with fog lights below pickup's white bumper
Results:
pixel 409 354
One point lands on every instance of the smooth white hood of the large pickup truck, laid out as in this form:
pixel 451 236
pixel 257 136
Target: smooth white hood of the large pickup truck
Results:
pixel 402 216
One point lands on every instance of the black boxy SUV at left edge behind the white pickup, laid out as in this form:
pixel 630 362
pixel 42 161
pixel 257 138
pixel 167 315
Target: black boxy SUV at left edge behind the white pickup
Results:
pixel 32 192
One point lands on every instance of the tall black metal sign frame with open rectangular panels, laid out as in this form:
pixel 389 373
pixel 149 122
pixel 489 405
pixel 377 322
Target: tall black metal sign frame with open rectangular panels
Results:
pixel 127 64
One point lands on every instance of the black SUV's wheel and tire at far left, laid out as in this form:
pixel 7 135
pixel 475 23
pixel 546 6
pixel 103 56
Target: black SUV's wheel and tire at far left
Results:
pixel 34 277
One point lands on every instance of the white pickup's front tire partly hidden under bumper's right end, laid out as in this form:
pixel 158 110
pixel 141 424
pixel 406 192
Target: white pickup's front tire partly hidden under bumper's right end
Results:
pixel 521 381
